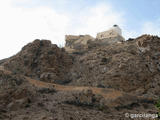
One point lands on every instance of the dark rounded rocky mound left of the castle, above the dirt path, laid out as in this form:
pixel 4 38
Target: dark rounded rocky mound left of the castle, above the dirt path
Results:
pixel 41 60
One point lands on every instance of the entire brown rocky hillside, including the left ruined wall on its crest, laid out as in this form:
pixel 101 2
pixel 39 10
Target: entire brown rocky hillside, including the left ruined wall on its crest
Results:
pixel 88 79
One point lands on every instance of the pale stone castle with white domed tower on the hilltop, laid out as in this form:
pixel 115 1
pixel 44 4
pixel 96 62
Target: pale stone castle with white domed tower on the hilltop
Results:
pixel 113 35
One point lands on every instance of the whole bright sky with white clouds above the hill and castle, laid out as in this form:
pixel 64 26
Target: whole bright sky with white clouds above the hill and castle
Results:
pixel 22 21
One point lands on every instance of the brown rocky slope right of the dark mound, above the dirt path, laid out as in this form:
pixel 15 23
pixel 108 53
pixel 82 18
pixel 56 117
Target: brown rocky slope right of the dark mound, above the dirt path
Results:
pixel 122 66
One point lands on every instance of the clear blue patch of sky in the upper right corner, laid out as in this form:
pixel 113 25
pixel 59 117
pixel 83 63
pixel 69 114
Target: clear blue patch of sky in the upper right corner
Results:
pixel 138 11
